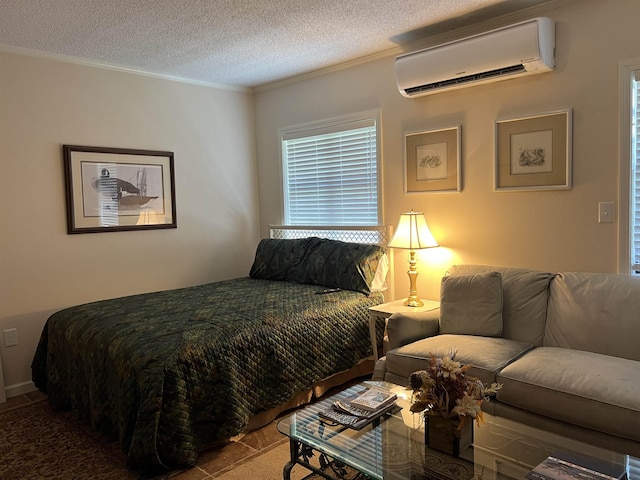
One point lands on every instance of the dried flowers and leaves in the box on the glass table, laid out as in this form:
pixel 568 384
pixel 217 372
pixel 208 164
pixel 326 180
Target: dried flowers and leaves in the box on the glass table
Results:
pixel 445 390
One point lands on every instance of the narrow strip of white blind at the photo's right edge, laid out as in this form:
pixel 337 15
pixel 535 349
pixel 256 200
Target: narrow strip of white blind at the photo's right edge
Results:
pixel 635 176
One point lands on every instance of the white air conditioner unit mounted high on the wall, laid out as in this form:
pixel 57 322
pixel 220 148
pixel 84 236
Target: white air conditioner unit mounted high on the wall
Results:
pixel 508 52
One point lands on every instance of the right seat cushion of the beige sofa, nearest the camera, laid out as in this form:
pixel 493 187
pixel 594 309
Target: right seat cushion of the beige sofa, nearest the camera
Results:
pixel 596 391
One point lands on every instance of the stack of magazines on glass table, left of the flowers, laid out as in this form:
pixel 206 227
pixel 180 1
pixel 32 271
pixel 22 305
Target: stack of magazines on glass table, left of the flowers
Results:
pixel 359 411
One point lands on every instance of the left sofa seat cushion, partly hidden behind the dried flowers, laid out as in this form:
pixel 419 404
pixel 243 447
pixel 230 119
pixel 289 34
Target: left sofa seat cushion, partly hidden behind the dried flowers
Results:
pixel 487 354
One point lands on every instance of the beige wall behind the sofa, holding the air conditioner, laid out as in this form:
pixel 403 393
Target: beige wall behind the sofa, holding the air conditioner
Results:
pixel 550 230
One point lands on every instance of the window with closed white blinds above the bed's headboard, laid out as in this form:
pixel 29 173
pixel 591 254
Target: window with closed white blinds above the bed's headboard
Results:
pixel 331 172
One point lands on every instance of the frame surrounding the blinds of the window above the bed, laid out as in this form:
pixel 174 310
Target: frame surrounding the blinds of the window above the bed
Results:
pixel 329 124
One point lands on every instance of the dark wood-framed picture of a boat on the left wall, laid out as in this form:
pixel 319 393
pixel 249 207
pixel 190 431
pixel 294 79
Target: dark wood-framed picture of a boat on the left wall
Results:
pixel 116 189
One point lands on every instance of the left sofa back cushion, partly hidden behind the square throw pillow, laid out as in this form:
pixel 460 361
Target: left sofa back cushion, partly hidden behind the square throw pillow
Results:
pixel 525 293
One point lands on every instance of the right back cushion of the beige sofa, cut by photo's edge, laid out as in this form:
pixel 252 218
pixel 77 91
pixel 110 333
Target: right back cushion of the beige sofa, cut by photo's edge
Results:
pixel 596 312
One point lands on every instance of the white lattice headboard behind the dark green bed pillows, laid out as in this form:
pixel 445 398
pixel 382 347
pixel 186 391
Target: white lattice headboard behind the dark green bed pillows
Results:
pixel 376 235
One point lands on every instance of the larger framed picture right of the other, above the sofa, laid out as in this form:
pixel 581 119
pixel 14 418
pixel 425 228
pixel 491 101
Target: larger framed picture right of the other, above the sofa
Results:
pixel 534 153
